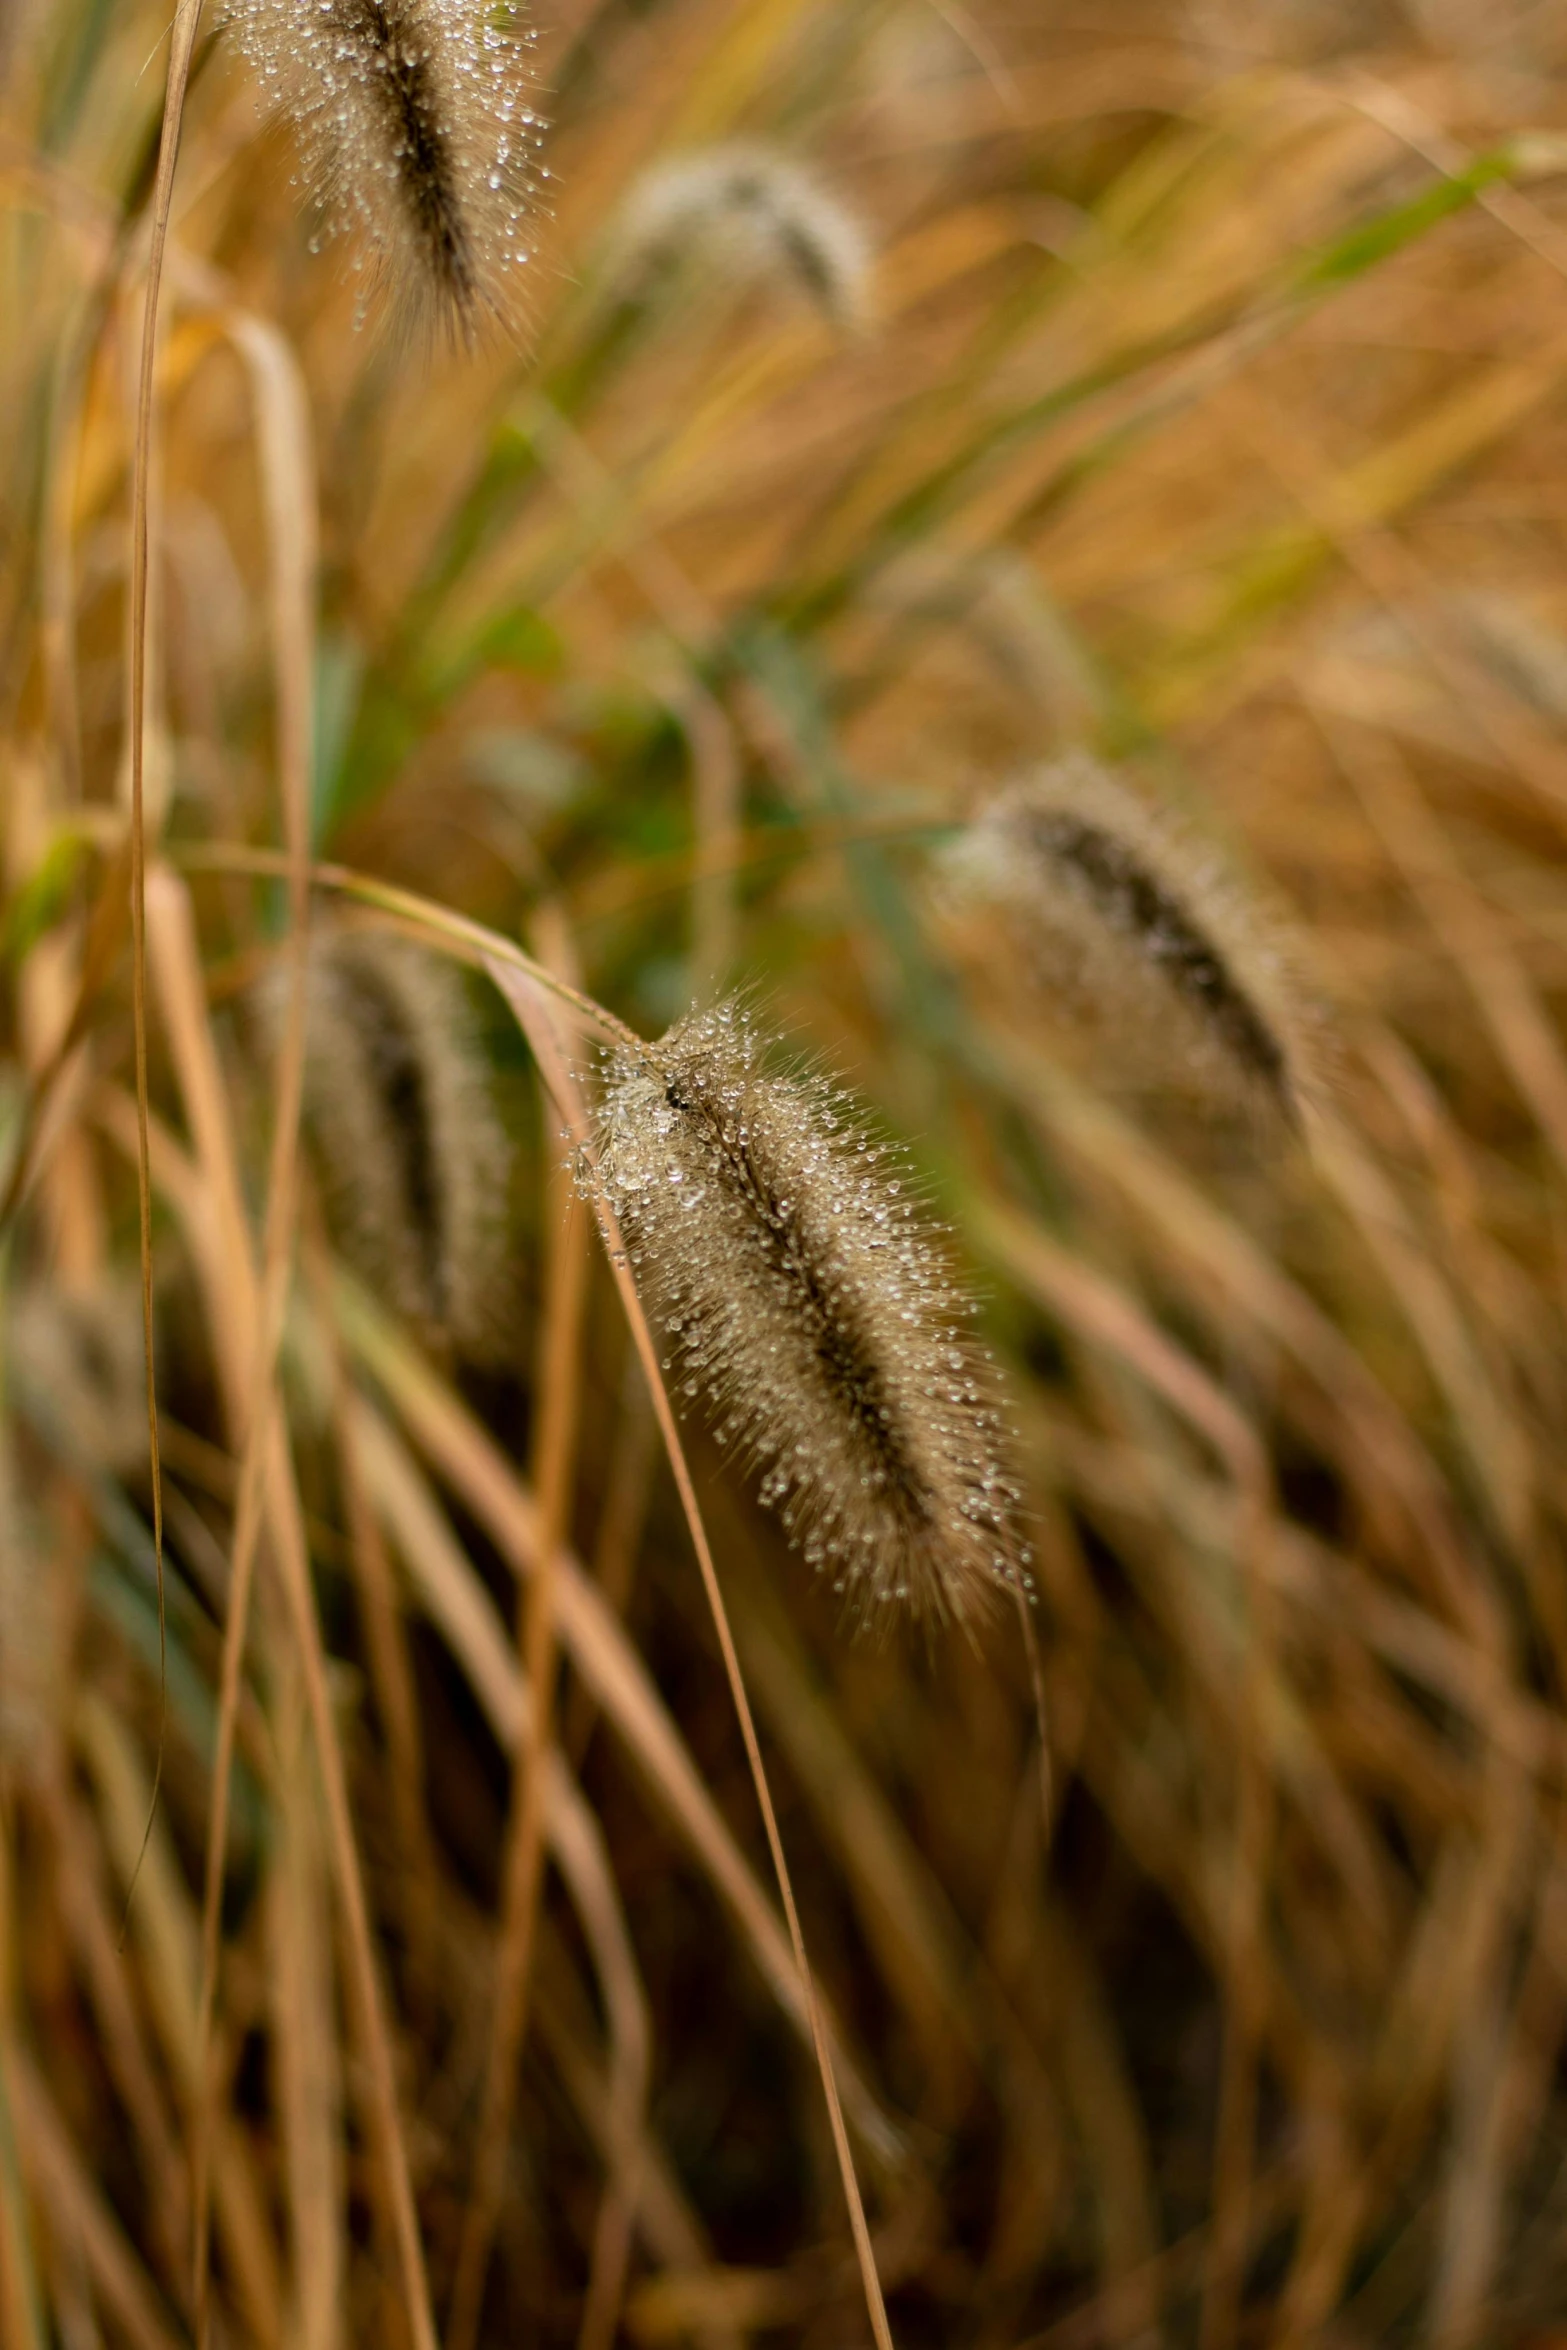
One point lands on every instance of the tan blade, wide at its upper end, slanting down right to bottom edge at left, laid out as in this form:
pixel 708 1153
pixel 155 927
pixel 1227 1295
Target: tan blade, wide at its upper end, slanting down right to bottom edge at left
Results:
pixel 234 1310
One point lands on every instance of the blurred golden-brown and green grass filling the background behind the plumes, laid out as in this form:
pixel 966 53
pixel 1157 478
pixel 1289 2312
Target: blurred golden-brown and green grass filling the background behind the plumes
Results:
pixel 1206 415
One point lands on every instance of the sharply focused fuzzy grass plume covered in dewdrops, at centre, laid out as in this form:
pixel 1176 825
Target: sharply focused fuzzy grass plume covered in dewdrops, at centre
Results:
pixel 814 1310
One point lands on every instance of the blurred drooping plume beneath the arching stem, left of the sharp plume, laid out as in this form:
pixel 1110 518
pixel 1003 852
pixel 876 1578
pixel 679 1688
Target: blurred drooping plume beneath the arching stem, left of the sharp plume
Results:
pixel 403 1122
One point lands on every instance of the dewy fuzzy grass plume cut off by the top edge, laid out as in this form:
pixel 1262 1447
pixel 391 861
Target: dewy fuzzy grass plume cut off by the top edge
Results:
pixel 419 130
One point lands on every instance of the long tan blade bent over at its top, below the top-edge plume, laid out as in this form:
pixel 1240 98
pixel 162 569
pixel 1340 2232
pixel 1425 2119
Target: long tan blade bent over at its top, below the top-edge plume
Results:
pixel 288 483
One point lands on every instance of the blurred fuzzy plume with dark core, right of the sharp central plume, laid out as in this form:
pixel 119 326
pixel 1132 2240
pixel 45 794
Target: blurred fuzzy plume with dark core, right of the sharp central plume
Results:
pixel 1129 927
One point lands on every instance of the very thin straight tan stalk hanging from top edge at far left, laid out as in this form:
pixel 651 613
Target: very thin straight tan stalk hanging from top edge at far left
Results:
pixel 182 46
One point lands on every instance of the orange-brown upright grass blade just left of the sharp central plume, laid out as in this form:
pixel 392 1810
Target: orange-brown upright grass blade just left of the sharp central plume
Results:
pixel 558 1388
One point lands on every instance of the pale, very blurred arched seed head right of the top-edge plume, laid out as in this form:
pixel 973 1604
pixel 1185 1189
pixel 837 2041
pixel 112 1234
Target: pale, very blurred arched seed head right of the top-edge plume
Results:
pixel 739 217
